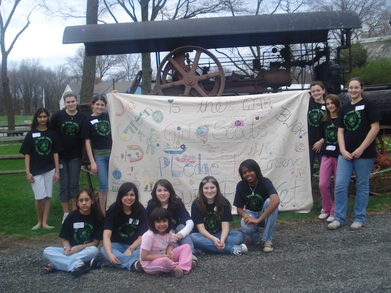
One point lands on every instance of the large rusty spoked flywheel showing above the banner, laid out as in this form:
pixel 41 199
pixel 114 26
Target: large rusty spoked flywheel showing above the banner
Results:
pixel 190 71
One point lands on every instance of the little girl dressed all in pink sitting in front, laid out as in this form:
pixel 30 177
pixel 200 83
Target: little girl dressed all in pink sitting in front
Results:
pixel 157 253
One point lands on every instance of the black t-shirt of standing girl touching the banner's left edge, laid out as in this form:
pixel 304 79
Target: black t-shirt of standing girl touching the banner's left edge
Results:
pixel 97 129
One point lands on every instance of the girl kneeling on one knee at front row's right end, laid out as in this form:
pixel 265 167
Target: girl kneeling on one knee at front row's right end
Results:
pixel 260 198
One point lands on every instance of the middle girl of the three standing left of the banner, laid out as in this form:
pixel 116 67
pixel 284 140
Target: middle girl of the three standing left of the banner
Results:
pixel 67 124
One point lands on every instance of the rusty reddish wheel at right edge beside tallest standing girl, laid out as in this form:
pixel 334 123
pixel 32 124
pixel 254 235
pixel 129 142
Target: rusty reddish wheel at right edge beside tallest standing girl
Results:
pixel 380 180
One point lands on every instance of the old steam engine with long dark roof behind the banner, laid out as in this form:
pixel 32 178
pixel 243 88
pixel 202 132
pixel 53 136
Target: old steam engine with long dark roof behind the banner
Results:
pixel 289 42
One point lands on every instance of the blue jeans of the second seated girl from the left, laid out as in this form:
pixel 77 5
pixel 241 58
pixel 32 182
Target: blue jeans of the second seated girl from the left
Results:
pixel 118 250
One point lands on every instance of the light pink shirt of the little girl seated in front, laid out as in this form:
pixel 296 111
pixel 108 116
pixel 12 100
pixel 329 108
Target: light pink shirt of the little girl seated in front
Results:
pixel 155 243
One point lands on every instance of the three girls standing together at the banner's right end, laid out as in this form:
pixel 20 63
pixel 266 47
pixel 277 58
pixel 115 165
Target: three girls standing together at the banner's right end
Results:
pixel 343 140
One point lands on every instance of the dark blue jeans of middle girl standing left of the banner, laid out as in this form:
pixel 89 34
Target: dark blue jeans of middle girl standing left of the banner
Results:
pixel 69 179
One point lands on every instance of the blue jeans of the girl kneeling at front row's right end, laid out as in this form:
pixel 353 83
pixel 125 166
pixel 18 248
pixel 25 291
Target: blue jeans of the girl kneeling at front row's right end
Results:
pixel 268 223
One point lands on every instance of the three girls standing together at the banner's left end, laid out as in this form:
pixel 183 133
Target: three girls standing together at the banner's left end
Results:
pixel 53 152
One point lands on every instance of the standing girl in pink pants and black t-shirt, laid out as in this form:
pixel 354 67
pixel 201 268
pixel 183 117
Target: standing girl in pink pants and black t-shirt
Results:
pixel 330 150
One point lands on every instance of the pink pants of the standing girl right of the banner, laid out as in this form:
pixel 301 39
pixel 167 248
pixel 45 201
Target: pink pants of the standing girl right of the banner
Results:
pixel 328 166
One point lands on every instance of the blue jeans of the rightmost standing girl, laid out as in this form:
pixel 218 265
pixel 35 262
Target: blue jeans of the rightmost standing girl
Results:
pixel 362 168
